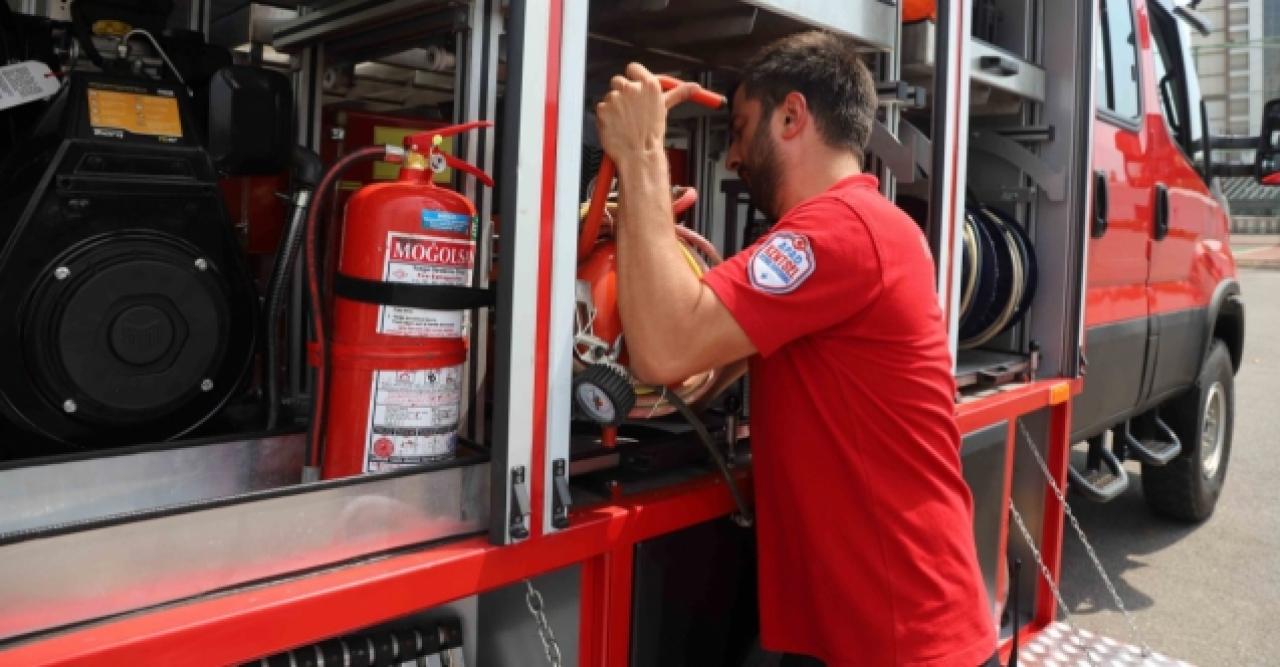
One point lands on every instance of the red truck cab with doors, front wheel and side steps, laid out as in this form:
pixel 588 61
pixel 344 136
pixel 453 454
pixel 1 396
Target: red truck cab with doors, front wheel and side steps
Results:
pixel 1164 317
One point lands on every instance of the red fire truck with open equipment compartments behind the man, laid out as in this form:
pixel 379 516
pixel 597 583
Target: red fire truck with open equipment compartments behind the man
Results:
pixel 167 414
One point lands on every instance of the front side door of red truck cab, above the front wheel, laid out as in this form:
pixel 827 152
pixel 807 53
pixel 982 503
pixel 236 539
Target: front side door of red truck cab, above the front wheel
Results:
pixel 1187 225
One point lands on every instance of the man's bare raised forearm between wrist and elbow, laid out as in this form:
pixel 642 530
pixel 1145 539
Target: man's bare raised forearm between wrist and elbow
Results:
pixel 656 289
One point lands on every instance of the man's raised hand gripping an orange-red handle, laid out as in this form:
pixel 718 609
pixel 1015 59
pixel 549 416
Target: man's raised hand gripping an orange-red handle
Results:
pixel 633 118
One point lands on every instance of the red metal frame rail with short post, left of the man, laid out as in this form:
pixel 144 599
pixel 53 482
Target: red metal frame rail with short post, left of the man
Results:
pixel 248 624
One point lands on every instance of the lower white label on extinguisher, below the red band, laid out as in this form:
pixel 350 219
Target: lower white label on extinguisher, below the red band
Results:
pixel 414 418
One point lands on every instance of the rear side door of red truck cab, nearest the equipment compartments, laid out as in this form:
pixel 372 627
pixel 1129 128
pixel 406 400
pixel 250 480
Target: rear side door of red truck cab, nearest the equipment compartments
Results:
pixel 1117 299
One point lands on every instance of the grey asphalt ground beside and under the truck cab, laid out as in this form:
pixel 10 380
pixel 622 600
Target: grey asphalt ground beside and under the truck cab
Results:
pixel 1210 593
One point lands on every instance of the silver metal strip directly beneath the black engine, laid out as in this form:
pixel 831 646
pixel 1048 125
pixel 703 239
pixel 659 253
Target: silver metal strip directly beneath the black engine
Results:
pixel 67 492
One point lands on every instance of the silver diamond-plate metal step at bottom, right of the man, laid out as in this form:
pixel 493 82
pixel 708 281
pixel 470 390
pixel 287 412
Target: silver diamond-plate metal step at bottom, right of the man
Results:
pixel 1058 646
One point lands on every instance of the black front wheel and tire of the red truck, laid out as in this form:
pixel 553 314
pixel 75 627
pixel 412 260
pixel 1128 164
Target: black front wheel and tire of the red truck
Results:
pixel 1188 487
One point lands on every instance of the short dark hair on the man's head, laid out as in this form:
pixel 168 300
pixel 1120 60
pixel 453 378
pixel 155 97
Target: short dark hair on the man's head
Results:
pixel 829 72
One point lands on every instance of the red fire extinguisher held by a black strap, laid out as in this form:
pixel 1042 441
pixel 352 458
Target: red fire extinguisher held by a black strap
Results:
pixel 390 380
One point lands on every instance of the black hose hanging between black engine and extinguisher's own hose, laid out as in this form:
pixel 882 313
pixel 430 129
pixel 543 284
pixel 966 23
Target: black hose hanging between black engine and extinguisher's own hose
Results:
pixel 308 171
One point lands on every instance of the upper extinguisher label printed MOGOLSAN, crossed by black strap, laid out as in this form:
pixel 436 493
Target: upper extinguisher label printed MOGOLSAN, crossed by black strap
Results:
pixel 426 261
